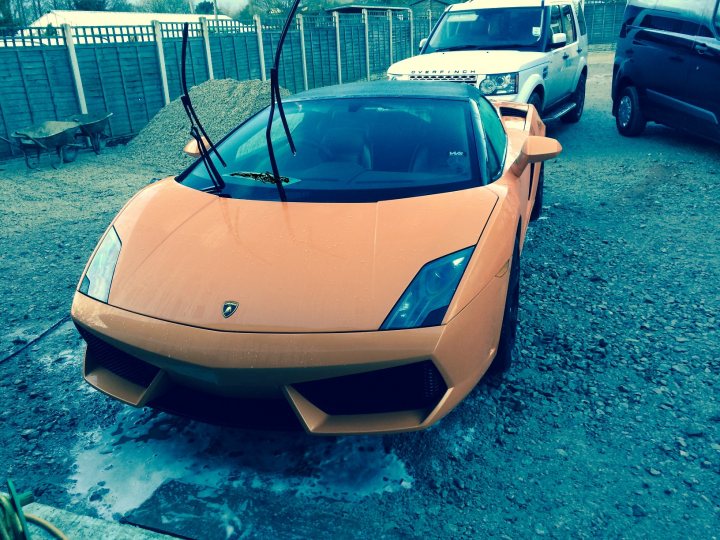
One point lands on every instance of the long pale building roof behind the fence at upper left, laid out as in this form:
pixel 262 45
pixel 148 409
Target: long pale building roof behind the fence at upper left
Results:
pixel 58 17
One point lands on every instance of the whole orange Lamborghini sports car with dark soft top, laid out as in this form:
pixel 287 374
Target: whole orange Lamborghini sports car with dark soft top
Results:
pixel 372 299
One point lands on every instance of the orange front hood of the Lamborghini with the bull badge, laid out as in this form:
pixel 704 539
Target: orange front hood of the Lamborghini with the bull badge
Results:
pixel 292 267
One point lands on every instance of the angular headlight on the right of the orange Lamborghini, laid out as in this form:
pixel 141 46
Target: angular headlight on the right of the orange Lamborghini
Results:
pixel 425 301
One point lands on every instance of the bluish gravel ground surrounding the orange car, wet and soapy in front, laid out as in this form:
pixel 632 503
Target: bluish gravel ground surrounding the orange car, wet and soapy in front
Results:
pixel 606 426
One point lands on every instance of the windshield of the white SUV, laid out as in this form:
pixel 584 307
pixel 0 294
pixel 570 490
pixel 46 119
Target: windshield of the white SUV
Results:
pixel 502 28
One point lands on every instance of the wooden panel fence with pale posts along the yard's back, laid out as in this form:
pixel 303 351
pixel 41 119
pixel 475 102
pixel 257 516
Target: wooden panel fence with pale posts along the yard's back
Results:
pixel 133 71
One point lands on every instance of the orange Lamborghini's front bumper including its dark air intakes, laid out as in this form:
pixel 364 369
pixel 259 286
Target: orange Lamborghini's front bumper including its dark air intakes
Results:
pixel 140 361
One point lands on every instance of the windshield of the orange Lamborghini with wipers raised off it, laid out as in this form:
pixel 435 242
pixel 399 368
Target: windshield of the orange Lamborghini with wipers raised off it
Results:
pixel 352 150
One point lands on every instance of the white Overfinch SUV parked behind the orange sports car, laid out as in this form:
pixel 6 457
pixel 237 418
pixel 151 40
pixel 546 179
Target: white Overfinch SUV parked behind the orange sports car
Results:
pixel 529 51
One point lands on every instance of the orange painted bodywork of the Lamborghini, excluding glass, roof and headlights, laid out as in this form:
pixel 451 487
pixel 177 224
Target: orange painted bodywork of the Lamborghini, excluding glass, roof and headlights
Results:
pixel 186 336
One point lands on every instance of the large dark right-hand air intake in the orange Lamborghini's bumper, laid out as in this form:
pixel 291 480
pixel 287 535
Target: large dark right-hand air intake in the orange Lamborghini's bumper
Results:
pixel 409 387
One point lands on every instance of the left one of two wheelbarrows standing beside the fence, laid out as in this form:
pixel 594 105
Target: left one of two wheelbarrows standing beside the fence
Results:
pixel 33 140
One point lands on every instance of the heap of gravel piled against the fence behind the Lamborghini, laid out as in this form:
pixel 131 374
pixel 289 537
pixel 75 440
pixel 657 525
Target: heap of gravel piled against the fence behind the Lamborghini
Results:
pixel 220 104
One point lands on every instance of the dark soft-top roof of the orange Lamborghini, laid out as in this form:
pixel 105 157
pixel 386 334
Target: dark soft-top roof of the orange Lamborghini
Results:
pixel 412 89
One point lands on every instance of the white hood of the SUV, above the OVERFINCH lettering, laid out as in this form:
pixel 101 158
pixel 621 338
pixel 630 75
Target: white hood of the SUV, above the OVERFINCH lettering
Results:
pixel 480 62
